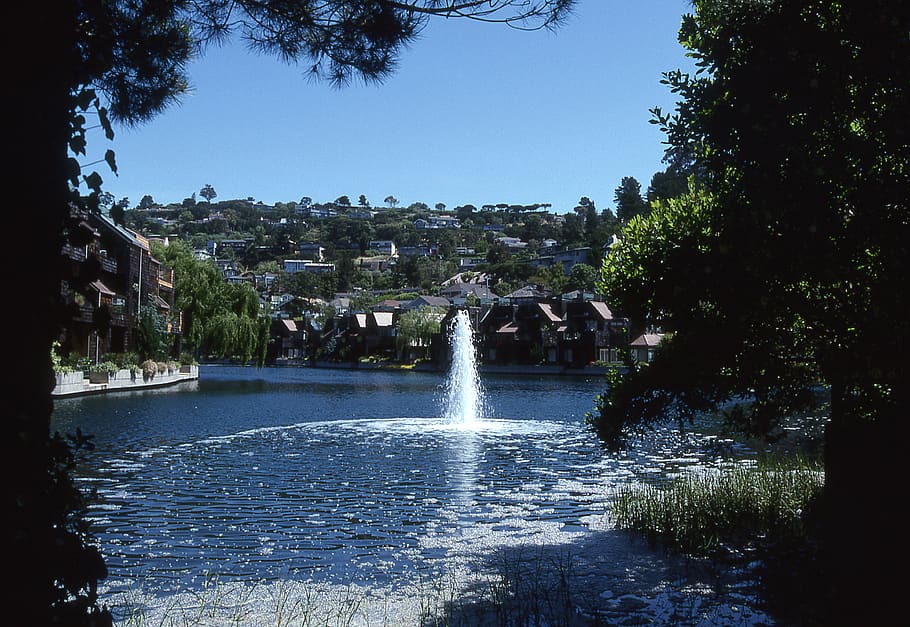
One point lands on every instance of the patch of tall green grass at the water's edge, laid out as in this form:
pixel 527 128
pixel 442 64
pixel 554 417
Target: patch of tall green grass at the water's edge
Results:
pixel 701 513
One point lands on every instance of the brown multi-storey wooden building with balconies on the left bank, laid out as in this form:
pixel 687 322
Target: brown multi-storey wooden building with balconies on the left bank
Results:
pixel 110 277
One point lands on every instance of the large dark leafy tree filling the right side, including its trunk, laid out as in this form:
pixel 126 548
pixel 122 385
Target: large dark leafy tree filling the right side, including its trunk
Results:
pixel 787 257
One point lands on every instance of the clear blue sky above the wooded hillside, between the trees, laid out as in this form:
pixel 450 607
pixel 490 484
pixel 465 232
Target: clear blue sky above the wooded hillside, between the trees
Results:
pixel 476 113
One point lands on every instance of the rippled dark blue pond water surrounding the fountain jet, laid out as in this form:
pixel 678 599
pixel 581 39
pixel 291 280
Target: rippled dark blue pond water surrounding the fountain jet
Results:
pixel 340 478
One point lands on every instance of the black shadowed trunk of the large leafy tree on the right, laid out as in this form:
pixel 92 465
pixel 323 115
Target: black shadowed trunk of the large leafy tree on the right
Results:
pixel 864 539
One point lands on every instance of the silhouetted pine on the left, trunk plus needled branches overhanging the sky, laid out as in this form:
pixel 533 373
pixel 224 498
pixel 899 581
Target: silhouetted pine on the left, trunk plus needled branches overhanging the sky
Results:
pixel 88 64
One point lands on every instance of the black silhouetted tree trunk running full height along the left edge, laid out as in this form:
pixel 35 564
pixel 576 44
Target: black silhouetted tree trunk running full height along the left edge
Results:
pixel 40 552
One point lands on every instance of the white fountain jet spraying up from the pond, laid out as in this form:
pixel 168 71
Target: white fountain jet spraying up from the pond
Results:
pixel 464 400
